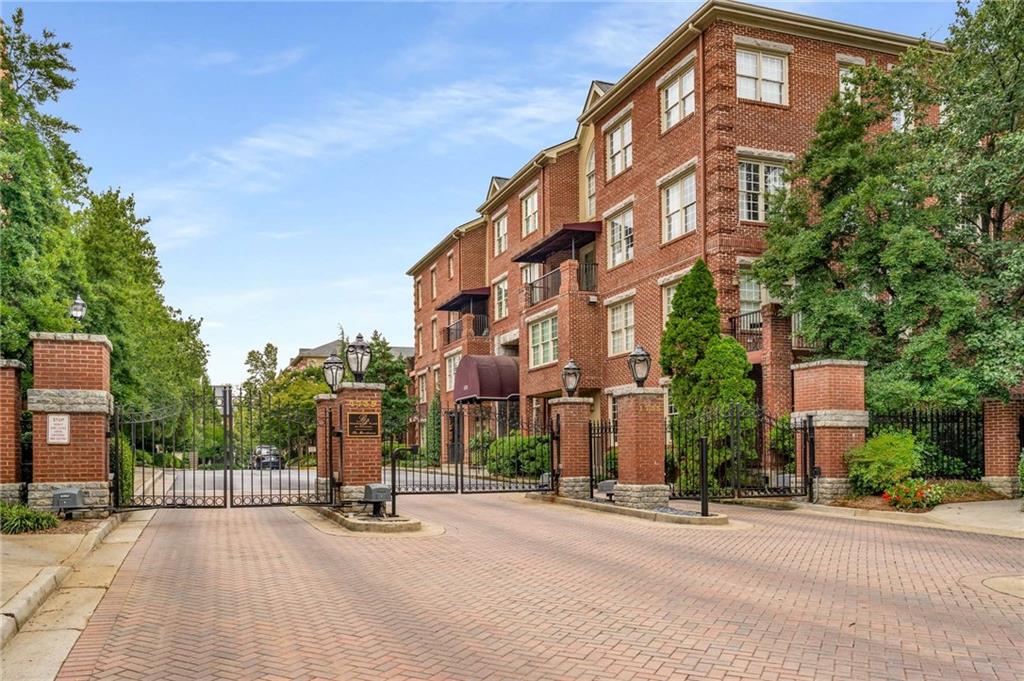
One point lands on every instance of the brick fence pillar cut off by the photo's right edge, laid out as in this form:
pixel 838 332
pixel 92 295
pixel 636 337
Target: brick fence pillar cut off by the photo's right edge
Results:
pixel 1003 442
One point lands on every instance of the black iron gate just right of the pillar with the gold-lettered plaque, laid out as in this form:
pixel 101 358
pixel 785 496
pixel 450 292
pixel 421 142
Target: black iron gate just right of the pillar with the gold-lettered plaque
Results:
pixel 481 448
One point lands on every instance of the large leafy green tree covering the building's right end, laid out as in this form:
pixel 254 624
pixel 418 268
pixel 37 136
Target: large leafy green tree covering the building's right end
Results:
pixel 904 248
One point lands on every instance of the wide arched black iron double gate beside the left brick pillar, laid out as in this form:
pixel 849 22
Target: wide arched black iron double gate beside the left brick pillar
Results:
pixel 217 449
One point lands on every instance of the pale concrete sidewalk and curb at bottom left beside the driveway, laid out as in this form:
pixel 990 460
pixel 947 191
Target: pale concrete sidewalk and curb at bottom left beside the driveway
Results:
pixel 55 584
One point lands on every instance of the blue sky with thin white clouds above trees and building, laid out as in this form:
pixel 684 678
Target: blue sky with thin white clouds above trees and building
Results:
pixel 296 159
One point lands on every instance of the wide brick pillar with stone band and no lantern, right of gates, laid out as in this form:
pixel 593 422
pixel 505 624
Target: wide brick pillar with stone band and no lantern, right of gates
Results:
pixel 832 392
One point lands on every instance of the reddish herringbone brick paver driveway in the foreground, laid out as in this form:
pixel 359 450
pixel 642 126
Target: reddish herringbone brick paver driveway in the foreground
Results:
pixel 520 590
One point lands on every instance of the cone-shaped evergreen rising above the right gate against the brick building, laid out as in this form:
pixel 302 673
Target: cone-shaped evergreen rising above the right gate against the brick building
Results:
pixel 707 369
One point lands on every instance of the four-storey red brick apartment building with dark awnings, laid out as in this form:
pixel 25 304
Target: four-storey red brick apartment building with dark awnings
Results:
pixel 577 254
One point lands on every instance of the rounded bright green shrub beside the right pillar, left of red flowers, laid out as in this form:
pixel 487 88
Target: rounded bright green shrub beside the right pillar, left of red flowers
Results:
pixel 884 460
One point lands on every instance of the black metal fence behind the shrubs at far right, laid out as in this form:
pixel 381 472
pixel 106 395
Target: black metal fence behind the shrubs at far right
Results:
pixel 954 440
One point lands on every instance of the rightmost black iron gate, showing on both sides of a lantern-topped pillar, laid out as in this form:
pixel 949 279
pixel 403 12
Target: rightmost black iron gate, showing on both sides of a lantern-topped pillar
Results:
pixel 750 454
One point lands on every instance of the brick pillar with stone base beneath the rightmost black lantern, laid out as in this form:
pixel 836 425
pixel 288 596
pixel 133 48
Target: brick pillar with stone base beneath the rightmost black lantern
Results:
pixel 642 448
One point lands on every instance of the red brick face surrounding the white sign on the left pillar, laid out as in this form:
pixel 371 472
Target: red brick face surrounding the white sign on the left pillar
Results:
pixel 84 460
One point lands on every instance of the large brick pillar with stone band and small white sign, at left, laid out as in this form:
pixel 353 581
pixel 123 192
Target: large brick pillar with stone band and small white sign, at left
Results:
pixel 71 406
